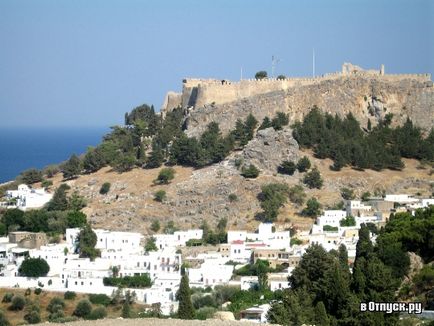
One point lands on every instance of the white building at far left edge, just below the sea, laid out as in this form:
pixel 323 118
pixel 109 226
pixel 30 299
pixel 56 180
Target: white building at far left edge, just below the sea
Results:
pixel 27 198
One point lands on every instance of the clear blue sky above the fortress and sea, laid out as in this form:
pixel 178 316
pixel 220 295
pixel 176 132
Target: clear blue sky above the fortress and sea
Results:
pixel 85 63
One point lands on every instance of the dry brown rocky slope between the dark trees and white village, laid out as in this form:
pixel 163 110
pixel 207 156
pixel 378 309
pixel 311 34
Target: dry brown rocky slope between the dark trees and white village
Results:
pixel 203 194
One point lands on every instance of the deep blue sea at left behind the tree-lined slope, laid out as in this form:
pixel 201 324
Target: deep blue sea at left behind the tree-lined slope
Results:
pixel 24 148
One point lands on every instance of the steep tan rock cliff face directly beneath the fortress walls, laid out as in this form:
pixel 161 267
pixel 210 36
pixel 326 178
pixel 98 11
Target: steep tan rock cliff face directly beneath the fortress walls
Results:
pixel 367 97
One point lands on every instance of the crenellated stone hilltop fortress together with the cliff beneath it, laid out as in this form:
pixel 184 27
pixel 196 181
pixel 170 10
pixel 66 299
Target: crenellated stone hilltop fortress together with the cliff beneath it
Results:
pixel 368 94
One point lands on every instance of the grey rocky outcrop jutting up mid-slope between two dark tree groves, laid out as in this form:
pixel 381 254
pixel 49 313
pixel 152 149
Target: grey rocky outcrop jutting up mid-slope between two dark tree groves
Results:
pixel 269 148
